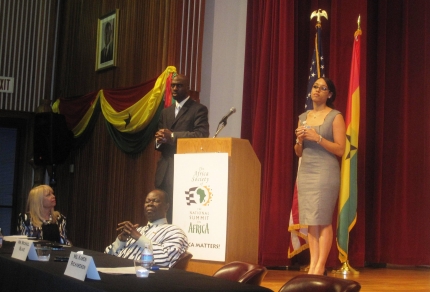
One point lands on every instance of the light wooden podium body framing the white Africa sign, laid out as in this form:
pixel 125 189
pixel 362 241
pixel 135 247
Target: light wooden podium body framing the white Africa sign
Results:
pixel 243 207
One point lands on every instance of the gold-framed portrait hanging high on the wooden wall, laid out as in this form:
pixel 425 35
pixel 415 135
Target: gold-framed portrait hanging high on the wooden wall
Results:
pixel 107 40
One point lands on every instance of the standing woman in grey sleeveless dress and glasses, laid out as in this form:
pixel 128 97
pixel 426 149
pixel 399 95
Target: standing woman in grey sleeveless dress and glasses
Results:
pixel 321 138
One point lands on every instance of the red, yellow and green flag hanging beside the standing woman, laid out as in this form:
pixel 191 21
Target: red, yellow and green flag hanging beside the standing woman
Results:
pixel 347 215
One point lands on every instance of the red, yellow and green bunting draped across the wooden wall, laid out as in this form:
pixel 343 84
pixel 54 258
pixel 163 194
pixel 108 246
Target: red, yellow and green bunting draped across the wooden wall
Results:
pixel 131 113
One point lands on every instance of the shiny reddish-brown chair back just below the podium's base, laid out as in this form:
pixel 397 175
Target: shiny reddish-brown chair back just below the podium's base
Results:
pixel 242 272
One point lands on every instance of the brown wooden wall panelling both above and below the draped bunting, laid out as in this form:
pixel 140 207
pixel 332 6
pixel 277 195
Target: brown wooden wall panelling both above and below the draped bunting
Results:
pixel 108 186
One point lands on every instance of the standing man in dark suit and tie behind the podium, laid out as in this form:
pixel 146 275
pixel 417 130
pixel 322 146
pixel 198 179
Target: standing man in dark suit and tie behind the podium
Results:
pixel 183 119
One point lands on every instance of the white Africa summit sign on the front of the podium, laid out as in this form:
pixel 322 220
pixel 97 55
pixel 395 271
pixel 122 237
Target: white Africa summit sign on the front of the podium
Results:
pixel 200 198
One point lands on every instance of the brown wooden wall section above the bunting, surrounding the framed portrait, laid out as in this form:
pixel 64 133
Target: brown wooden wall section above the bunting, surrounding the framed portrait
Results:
pixel 152 35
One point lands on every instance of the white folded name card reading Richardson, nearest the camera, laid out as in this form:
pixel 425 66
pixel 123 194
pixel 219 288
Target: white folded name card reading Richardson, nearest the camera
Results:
pixel 81 265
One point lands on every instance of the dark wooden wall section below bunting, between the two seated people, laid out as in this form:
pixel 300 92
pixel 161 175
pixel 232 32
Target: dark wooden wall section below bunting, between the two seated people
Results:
pixel 105 188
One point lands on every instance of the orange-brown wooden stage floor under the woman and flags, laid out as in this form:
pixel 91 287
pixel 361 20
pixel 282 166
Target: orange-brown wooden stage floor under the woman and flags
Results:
pixel 391 278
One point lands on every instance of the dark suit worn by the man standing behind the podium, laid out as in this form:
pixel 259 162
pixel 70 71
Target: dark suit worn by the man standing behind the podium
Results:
pixel 191 122
